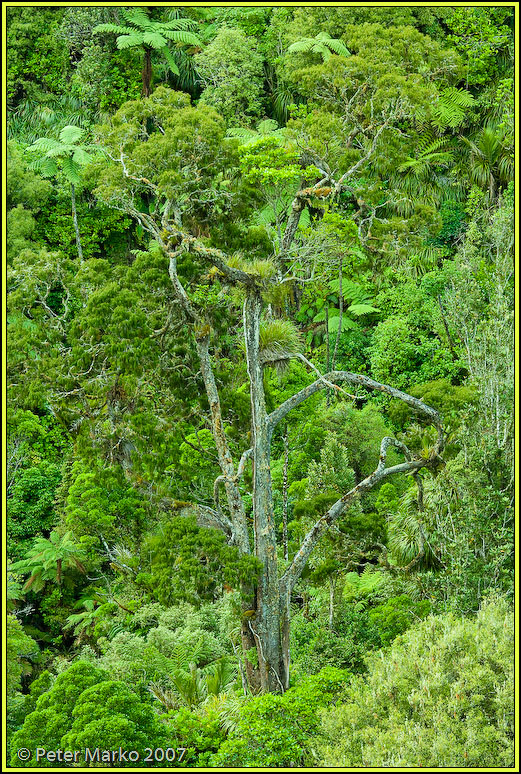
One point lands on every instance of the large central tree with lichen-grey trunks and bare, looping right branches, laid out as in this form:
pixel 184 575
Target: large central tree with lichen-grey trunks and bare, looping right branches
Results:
pixel 165 162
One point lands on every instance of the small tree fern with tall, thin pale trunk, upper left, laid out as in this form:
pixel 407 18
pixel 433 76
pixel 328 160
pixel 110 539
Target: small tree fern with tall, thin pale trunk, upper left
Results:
pixel 71 156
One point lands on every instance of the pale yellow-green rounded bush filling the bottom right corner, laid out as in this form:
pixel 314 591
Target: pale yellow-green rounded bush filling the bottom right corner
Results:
pixel 441 696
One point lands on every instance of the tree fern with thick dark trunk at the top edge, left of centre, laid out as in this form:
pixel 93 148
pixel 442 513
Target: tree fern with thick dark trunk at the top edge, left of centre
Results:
pixel 152 36
